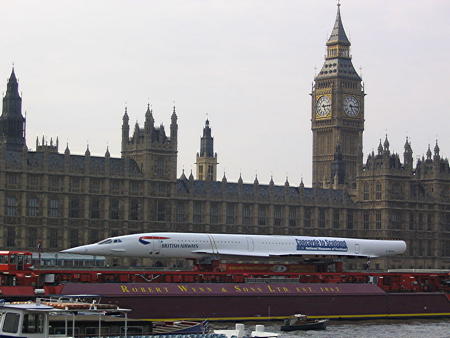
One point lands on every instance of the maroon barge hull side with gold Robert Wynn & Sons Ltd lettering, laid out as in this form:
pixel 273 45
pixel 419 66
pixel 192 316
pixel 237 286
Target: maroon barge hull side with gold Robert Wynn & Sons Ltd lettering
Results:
pixel 234 301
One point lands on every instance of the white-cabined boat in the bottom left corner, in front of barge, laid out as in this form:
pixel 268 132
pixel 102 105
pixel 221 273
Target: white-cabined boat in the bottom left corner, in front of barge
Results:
pixel 69 317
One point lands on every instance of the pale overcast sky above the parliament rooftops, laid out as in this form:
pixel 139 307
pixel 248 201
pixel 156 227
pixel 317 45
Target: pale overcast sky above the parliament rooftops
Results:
pixel 248 64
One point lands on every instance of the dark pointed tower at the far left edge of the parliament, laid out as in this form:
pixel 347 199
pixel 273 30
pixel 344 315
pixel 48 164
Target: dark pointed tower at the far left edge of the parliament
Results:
pixel 12 122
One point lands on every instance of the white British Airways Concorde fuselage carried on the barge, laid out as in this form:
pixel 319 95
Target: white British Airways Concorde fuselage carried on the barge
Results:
pixel 204 245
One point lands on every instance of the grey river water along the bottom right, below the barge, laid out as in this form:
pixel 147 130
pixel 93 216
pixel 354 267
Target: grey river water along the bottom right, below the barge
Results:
pixel 428 328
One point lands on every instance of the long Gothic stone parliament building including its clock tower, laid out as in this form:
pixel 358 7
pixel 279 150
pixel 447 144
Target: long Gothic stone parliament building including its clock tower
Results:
pixel 55 199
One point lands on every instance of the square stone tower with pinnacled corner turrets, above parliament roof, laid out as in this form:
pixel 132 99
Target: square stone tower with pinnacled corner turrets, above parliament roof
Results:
pixel 154 152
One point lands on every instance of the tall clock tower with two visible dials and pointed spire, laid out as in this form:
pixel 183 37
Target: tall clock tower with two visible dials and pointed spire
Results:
pixel 337 118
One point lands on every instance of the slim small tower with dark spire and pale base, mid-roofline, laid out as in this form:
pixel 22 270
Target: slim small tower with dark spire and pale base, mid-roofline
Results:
pixel 206 160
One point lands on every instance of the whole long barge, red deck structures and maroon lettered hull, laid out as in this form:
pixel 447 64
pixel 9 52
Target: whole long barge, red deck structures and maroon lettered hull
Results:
pixel 238 294
